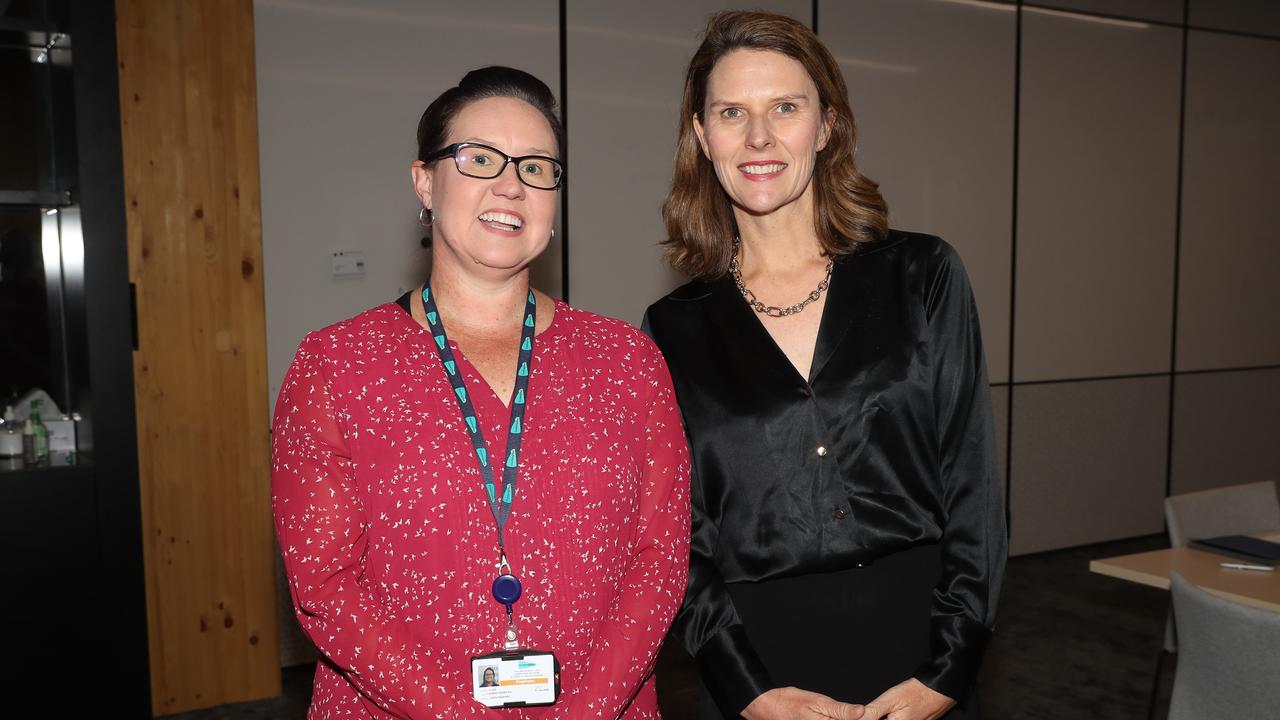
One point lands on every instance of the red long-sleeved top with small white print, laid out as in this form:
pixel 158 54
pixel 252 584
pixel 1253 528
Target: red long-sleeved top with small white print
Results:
pixel 391 546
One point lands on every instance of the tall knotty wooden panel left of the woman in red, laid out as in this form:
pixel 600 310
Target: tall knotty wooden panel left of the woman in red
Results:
pixel 189 113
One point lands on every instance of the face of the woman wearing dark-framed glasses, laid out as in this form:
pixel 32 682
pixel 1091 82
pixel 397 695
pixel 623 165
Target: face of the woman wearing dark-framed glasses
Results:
pixel 491 225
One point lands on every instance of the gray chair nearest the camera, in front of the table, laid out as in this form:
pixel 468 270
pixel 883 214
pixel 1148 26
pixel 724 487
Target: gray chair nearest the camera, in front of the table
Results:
pixel 1229 658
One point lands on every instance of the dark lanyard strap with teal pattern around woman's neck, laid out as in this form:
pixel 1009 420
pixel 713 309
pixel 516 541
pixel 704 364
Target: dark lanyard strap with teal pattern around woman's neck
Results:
pixel 501 508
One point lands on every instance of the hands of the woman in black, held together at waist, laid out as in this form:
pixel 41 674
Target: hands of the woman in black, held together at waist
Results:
pixel 911 700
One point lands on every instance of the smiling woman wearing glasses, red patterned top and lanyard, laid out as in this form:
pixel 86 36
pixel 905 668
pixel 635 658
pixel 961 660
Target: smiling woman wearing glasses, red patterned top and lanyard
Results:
pixel 387 516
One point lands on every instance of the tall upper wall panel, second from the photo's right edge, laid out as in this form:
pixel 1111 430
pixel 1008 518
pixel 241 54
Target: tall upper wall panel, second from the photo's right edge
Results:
pixel 1098 198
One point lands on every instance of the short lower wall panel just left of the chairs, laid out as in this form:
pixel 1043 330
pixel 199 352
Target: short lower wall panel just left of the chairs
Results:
pixel 1089 462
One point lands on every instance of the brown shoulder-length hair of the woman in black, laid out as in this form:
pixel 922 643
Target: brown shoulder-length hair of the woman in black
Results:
pixel 848 207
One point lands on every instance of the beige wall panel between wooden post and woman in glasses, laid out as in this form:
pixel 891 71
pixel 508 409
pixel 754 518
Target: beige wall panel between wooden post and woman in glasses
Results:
pixel 341 89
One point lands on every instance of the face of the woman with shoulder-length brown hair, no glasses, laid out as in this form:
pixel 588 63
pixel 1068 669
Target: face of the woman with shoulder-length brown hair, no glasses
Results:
pixel 762 129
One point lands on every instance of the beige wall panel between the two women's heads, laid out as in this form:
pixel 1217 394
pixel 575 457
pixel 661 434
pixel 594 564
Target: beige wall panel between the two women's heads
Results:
pixel 627 72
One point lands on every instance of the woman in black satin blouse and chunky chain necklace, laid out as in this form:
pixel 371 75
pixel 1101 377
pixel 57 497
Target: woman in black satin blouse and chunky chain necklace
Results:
pixel 849 530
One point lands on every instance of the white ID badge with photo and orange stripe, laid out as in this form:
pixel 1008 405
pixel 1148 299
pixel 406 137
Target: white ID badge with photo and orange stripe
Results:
pixel 519 678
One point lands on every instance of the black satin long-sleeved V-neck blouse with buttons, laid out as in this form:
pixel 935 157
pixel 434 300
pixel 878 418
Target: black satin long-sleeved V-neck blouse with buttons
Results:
pixel 889 445
